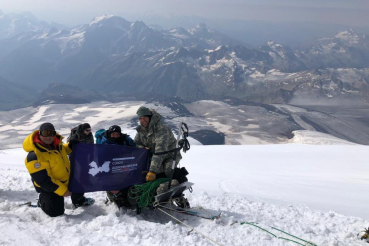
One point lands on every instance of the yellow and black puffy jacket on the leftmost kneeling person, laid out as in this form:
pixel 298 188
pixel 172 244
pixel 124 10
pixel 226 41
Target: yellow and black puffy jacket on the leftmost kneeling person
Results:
pixel 49 166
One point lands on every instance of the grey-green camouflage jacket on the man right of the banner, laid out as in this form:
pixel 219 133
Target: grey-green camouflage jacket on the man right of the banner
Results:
pixel 158 137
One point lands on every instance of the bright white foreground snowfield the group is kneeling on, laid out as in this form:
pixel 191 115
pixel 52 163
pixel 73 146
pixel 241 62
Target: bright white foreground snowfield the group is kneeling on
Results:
pixel 315 192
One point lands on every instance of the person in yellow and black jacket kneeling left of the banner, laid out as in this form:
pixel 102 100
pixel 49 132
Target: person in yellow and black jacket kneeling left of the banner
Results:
pixel 48 164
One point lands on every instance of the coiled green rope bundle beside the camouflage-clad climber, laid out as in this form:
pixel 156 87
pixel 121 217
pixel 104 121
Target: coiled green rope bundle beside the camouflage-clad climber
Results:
pixel 144 193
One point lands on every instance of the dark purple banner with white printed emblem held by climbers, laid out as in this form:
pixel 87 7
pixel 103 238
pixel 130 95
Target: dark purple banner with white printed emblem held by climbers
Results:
pixel 98 167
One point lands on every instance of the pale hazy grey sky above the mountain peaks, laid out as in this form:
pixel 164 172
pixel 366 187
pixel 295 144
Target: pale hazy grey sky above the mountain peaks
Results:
pixel 73 12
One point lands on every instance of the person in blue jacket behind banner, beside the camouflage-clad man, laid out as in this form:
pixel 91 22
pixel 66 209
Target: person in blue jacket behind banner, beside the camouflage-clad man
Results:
pixel 114 136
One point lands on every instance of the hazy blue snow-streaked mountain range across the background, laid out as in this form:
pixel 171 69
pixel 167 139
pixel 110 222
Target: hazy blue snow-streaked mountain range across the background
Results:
pixel 113 57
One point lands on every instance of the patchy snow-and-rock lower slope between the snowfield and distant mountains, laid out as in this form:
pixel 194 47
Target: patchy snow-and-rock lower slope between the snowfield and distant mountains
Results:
pixel 210 122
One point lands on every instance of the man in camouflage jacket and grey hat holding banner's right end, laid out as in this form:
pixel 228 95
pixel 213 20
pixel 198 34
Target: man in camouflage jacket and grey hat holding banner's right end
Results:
pixel 154 135
